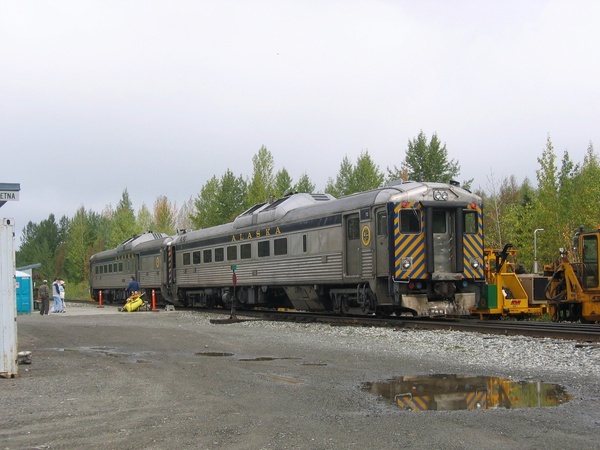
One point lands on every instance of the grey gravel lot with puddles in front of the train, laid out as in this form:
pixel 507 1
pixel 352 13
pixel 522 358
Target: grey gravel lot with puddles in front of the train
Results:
pixel 105 379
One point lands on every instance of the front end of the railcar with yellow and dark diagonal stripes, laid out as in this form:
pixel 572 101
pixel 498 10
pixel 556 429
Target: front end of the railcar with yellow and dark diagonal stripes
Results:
pixel 437 251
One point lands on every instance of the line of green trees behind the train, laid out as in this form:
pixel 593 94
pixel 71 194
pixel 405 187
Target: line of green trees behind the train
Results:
pixel 566 197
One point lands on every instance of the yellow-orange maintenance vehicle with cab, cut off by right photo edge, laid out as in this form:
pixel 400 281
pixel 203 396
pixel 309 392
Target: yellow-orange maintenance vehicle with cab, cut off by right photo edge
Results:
pixel 573 291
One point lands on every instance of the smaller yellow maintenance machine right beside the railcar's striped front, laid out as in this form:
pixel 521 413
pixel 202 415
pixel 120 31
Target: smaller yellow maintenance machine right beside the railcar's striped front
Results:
pixel 505 295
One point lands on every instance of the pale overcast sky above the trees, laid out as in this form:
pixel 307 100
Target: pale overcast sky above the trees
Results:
pixel 158 96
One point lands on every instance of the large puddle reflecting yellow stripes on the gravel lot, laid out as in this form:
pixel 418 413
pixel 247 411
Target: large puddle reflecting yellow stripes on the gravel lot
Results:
pixel 459 392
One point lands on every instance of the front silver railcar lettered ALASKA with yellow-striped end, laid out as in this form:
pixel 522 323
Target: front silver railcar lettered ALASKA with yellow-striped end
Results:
pixel 406 248
